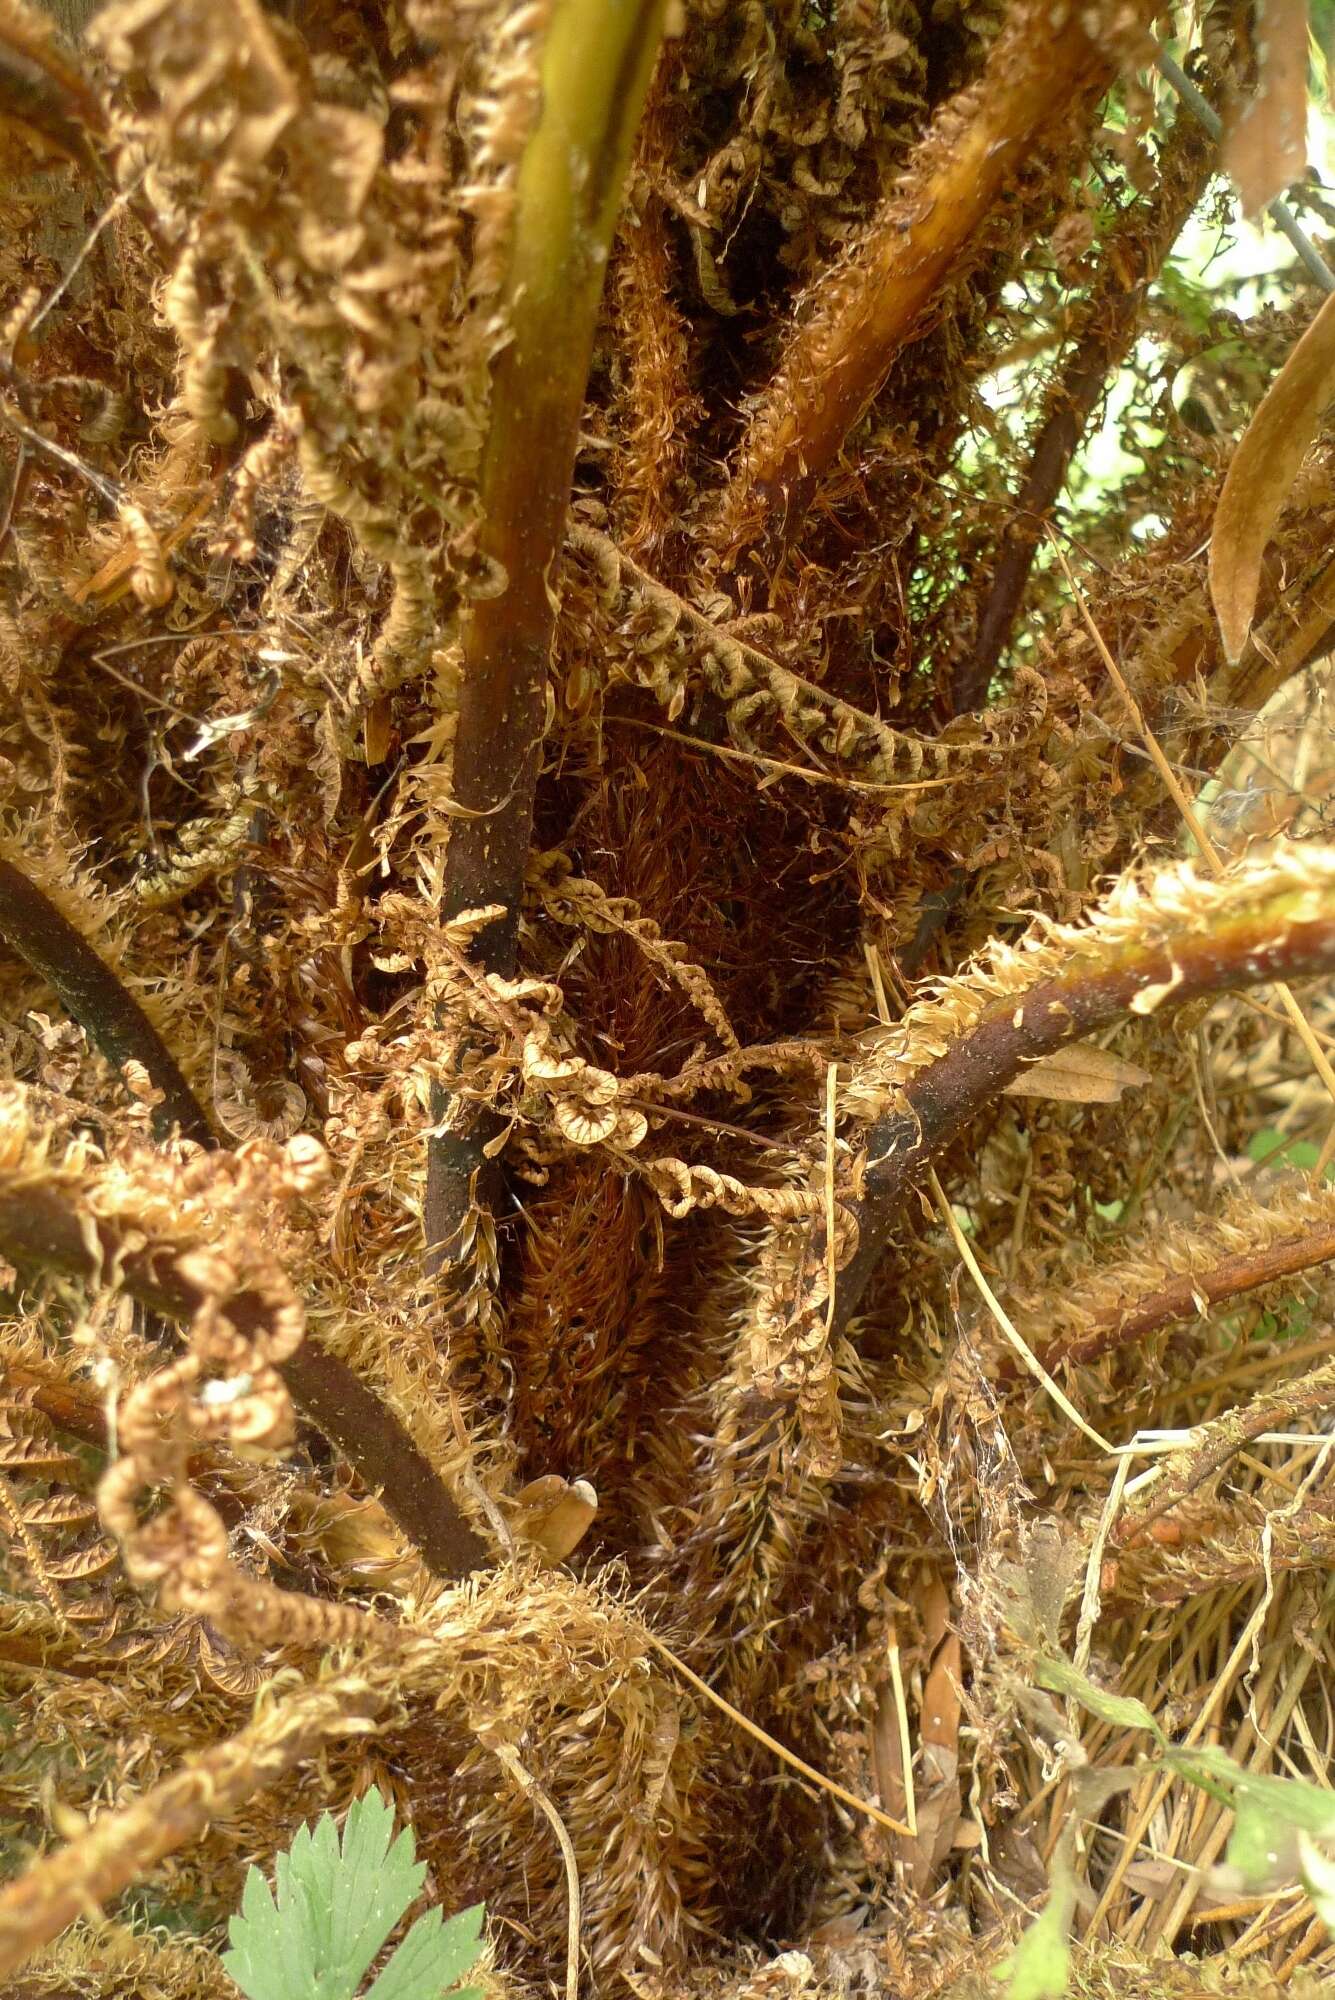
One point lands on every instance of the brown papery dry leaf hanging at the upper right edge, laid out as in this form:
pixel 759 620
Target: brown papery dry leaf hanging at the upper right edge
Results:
pixel 1264 469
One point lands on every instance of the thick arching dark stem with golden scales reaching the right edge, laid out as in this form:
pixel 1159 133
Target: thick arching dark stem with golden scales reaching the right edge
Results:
pixel 1280 937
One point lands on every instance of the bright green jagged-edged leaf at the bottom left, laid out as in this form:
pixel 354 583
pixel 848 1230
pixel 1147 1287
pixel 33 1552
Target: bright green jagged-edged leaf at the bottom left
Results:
pixel 333 1909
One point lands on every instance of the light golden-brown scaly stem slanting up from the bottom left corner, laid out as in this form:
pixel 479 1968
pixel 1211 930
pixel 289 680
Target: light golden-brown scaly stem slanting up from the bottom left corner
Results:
pixel 121 1847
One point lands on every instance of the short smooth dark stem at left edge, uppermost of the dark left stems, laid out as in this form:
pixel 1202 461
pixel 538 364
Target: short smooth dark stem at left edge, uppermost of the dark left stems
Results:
pixel 97 999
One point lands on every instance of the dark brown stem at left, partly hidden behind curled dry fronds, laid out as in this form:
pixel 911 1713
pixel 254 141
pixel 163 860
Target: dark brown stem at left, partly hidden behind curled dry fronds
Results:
pixel 43 1227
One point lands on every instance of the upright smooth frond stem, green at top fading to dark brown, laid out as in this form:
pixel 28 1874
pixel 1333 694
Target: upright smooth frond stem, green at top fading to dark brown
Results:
pixel 597 67
